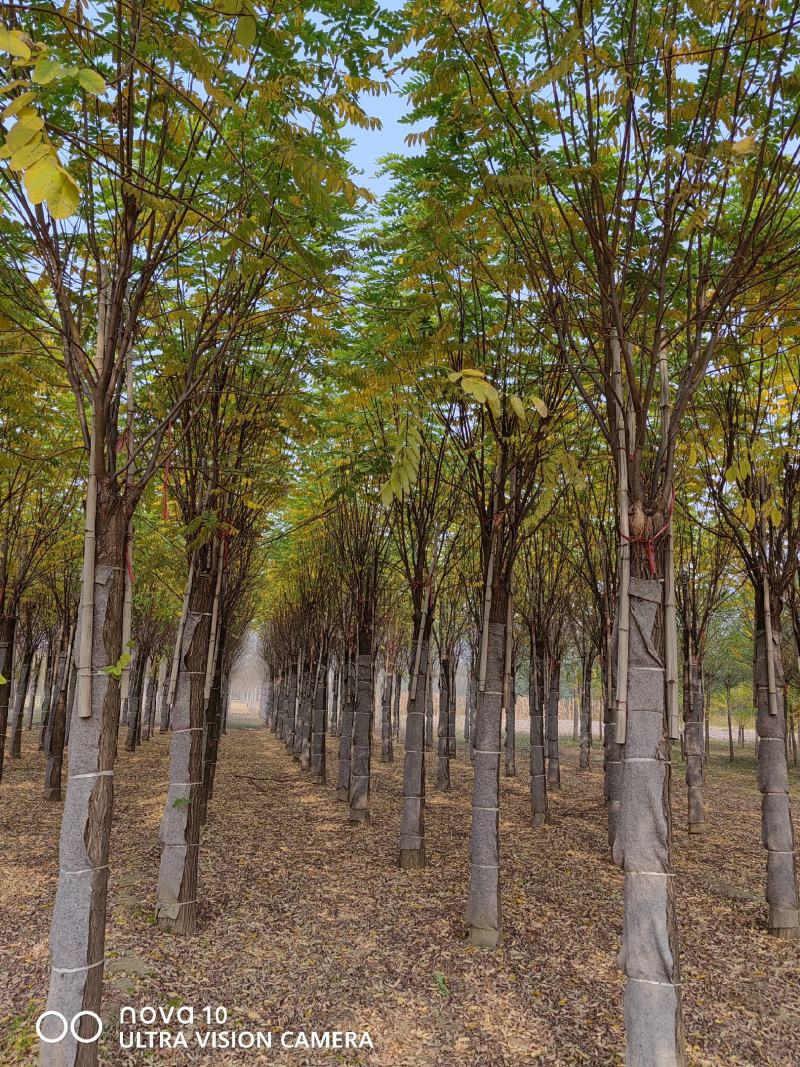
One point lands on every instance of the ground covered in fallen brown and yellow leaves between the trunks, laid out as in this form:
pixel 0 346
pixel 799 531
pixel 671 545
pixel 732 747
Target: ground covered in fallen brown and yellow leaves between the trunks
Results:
pixel 306 923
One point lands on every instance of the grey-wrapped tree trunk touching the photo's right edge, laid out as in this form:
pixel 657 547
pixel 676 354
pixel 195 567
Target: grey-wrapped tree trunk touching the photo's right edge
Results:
pixel 778 835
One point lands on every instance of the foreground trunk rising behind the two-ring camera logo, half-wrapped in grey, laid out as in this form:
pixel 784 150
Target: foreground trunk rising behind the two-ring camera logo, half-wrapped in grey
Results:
pixel 78 931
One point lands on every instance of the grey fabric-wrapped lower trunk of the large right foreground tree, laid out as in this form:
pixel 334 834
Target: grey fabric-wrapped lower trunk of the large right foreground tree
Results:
pixel 643 846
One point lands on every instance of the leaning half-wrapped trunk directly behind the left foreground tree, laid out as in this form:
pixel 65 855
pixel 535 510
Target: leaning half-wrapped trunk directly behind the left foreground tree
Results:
pixel 177 910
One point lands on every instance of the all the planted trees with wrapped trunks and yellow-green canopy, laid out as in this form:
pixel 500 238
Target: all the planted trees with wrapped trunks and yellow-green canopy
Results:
pixel 545 396
